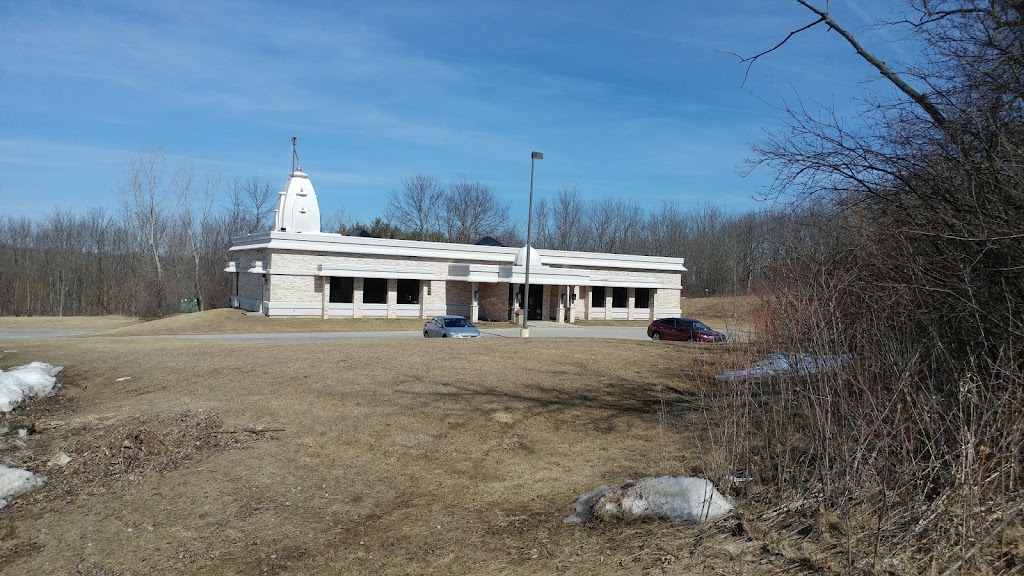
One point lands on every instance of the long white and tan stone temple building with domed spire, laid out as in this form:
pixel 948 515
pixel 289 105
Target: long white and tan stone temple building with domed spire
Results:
pixel 297 271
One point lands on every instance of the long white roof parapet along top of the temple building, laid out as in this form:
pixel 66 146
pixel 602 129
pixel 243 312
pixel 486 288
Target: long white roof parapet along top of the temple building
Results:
pixel 336 243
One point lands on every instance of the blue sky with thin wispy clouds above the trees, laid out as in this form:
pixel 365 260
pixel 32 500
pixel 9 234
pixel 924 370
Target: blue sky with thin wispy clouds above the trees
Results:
pixel 637 100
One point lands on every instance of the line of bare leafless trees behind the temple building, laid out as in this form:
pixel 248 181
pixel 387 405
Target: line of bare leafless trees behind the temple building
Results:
pixel 169 235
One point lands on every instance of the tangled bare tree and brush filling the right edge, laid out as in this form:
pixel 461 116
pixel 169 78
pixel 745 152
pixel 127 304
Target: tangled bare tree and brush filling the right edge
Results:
pixel 903 254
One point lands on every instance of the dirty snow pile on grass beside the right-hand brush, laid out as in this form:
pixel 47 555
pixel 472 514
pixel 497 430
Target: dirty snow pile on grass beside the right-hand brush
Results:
pixel 676 499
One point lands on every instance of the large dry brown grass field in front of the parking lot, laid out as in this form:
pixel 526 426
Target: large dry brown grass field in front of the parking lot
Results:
pixel 361 458
